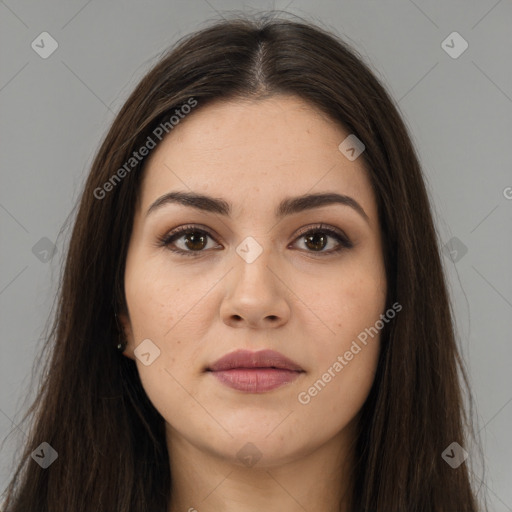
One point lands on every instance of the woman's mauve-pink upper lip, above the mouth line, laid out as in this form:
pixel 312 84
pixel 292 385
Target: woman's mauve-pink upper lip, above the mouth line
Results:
pixel 248 359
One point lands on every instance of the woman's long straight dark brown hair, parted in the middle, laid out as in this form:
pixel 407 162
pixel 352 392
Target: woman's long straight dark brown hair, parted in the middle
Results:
pixel 91 407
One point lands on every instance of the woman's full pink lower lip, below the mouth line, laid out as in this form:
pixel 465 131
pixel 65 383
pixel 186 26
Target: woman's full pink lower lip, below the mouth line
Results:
pixel 256 380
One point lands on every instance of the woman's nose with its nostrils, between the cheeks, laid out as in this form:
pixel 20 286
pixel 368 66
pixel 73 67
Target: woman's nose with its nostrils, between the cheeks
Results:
pixel 256 296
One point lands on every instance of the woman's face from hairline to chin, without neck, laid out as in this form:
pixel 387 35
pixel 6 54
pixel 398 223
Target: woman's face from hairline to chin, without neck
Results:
pixel 255 271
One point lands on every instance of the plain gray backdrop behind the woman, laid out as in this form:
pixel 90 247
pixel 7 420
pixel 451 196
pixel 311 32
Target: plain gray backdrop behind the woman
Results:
pixel 459 111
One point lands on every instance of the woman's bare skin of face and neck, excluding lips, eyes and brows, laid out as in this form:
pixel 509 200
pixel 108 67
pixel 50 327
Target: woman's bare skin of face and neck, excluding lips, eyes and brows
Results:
pixel 302 302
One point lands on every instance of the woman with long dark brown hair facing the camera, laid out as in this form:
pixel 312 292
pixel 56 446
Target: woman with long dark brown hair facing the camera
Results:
pixel 253 313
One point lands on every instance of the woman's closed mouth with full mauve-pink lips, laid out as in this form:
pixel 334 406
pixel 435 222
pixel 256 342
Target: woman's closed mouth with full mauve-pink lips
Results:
pixel 255 372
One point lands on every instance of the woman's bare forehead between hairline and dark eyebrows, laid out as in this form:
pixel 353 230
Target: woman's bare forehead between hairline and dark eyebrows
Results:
pixel 263 149
